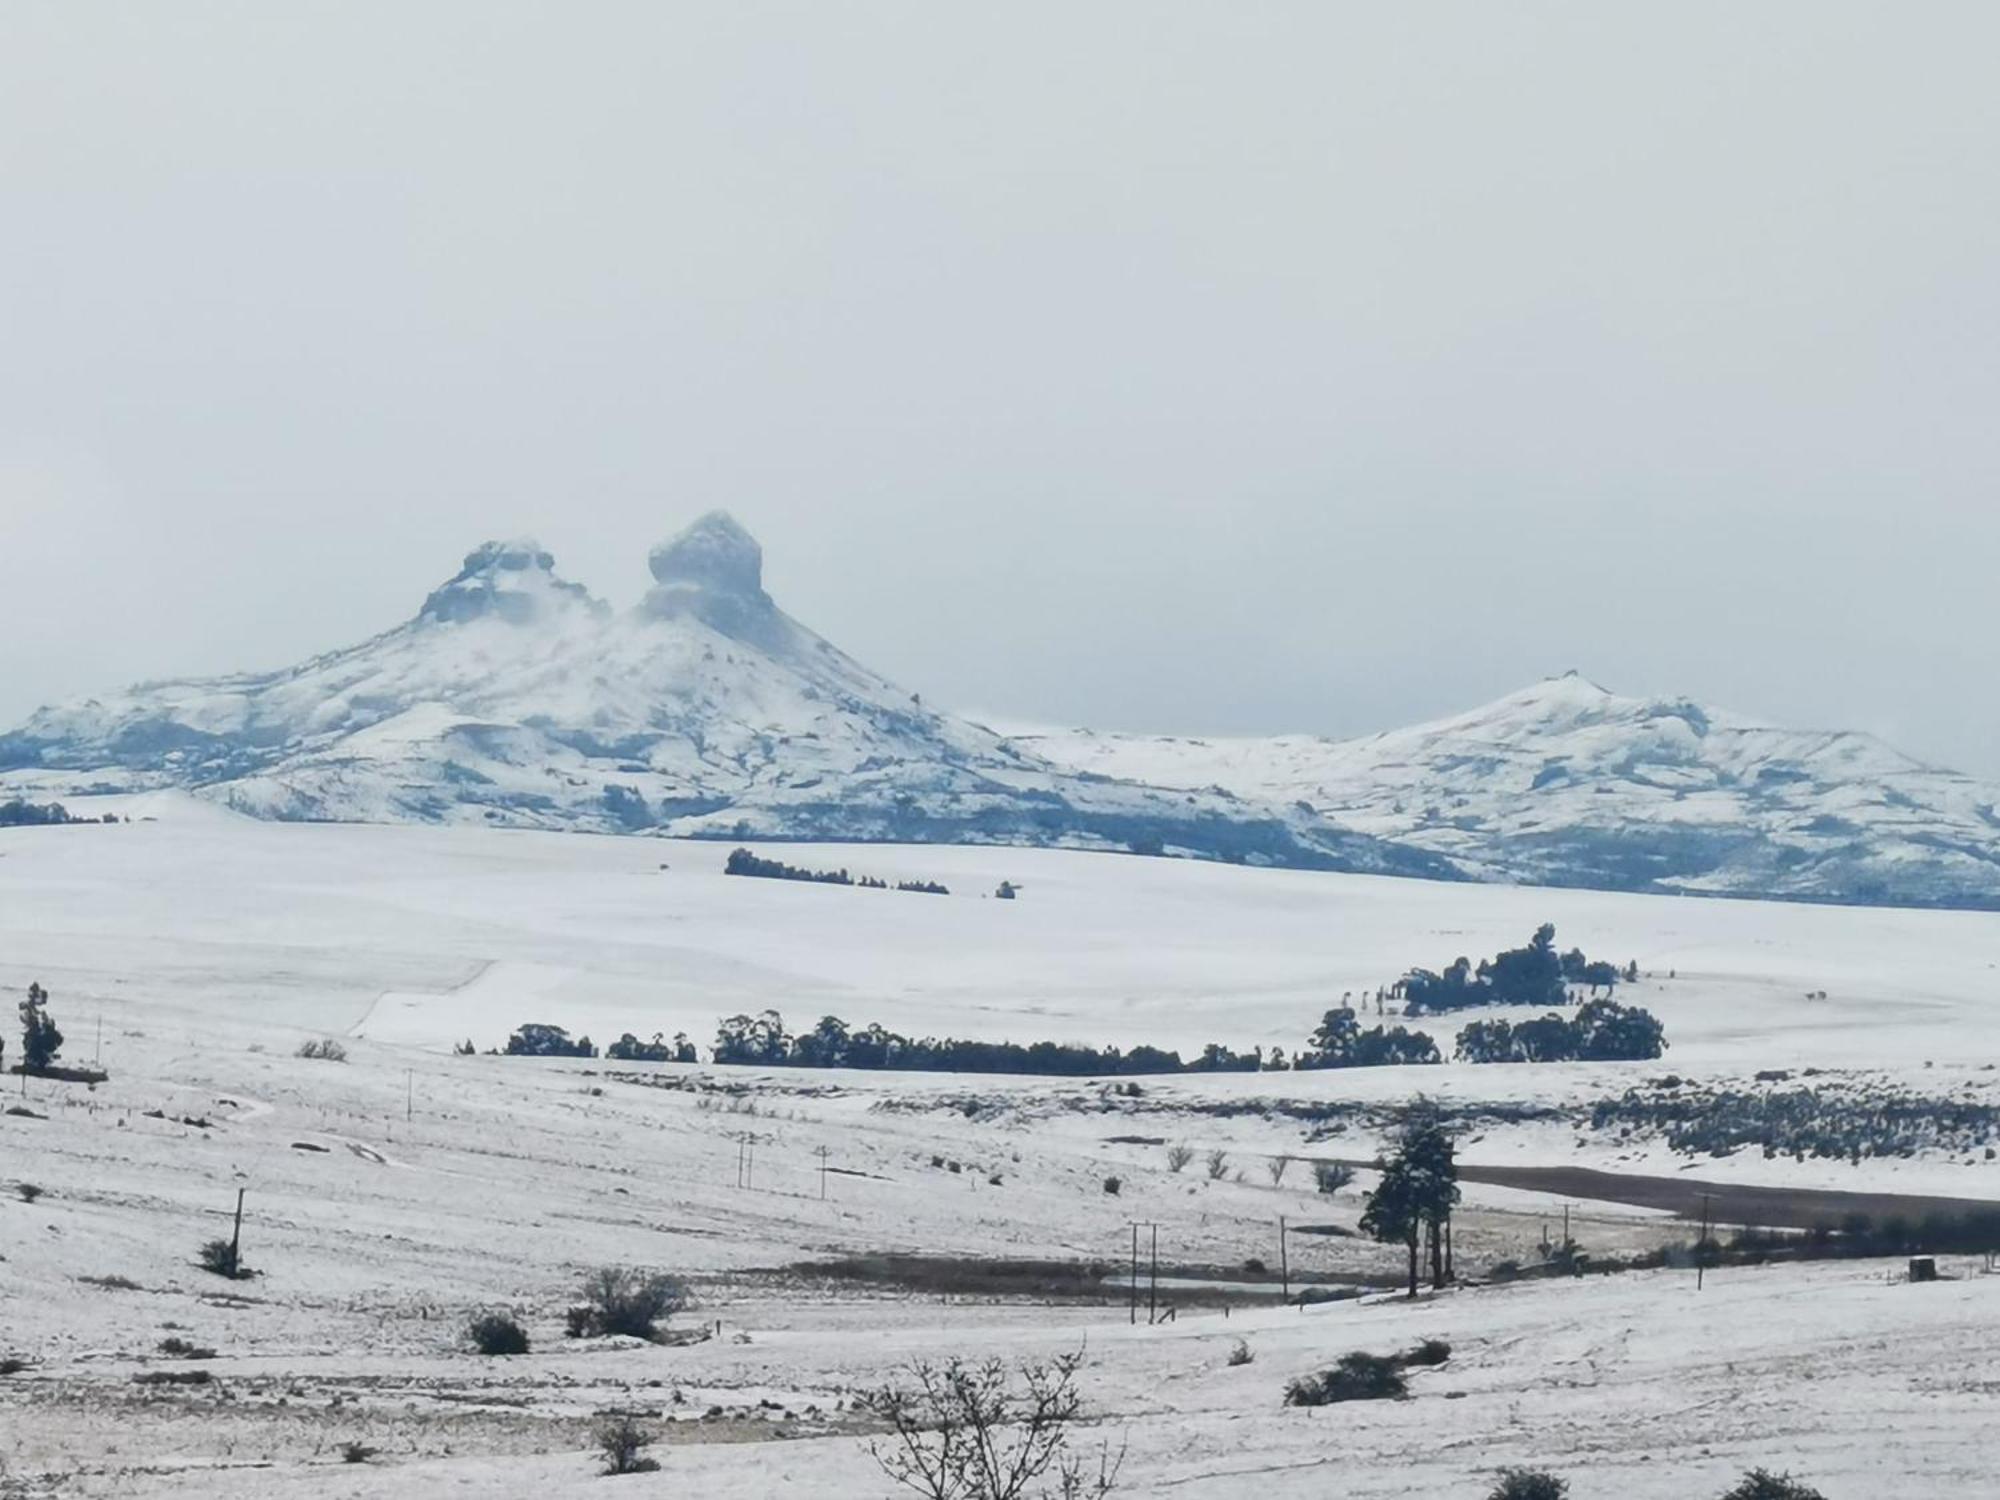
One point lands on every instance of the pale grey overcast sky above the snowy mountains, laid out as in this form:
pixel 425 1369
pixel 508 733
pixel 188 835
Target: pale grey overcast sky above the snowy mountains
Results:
pixel 1215 369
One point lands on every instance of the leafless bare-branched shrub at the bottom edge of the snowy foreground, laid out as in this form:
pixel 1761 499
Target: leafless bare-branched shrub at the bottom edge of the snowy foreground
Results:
pixel 971 1433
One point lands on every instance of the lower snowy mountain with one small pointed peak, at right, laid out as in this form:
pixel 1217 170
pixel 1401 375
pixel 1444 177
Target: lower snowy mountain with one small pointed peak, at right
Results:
pixel 1571 785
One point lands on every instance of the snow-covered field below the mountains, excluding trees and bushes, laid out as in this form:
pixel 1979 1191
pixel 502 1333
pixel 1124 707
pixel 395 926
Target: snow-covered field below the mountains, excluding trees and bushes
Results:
pixel 391 1195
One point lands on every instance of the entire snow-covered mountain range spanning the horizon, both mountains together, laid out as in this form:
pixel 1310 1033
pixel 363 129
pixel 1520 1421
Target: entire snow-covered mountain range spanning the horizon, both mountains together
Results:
pixel 515 697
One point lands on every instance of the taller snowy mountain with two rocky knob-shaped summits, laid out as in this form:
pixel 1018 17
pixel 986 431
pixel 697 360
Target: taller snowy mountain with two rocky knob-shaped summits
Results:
pixel 519 699
